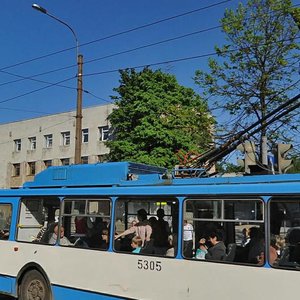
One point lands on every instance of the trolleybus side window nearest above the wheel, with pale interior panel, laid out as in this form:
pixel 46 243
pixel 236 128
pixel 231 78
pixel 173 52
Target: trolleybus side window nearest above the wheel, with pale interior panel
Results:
pixel 37 219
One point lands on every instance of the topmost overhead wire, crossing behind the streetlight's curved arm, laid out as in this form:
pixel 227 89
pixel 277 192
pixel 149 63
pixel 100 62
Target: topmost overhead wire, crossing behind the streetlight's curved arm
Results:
pixel 120 33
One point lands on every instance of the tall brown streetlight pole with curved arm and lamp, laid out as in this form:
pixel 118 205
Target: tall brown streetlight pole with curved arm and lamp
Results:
pixel 78 129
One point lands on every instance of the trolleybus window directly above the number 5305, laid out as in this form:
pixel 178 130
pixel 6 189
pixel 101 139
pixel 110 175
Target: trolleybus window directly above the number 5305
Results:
pixel 146 226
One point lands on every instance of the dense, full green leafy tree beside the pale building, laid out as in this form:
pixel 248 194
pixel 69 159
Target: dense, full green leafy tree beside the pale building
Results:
pixel 155 118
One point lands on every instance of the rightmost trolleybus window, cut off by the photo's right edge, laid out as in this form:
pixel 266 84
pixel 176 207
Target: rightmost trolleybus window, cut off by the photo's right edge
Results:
pixel 284 244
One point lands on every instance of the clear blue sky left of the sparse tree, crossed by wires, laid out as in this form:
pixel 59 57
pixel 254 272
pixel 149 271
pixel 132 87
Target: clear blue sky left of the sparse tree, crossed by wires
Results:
pixel 27 34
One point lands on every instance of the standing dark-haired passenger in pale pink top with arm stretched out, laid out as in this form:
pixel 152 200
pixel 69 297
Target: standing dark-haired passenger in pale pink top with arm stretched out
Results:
pixel 142 228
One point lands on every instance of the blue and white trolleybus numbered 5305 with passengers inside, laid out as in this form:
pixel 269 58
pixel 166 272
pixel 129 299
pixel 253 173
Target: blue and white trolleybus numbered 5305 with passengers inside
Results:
pixel 131 231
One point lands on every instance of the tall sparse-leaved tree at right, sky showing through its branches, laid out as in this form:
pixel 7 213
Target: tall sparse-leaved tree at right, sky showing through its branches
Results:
pixel 256 68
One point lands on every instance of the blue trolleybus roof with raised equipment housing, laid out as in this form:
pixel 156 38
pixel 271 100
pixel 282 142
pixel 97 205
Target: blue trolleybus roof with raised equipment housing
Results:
pixel 135 174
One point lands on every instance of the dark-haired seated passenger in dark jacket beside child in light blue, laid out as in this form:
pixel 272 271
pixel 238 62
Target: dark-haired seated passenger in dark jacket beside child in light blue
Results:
pixel 218 249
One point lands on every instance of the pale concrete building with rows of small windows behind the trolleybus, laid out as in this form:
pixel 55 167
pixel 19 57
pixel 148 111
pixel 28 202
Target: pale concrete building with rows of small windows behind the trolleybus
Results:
pixel 28 147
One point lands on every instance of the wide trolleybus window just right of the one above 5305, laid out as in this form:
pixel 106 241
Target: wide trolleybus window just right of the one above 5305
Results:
pixel 230 230
